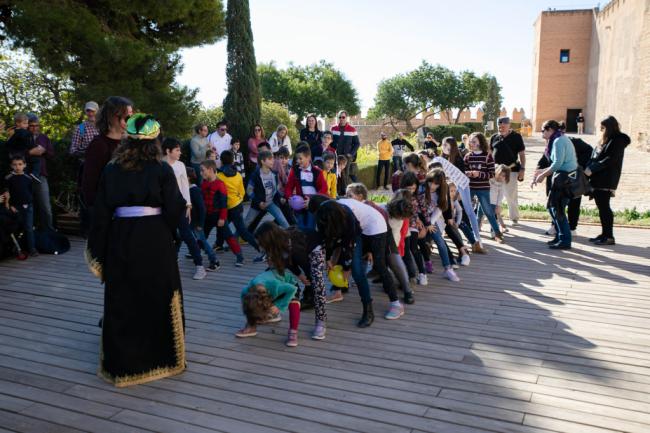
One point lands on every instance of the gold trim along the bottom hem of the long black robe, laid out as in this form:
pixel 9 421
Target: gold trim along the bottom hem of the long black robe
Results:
pixel 160 372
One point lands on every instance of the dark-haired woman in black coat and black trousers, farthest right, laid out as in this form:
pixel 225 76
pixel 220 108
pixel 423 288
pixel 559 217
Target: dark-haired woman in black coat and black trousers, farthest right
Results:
pixel 604 171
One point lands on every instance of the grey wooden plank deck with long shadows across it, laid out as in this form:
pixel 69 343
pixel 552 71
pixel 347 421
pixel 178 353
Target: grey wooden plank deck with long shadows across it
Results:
pixel 530 341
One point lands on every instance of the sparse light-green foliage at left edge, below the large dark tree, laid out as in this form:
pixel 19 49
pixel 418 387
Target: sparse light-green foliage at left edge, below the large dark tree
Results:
pixel 28 89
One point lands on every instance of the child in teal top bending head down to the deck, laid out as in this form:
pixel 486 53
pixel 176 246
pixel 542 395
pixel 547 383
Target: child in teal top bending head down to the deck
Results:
pixel 263 300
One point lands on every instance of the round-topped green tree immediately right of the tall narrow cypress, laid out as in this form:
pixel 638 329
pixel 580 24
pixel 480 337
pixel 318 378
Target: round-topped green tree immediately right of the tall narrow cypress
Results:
pixel 319 88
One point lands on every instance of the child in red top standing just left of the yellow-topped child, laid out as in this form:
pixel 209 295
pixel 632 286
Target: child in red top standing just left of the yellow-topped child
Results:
pixel 215 198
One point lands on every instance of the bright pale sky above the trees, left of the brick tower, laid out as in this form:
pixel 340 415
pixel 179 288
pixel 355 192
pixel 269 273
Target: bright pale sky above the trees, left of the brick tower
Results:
pixel 372 40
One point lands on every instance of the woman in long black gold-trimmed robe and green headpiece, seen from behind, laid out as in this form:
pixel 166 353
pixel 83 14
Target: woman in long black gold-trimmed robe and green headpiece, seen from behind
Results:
pixel 131 248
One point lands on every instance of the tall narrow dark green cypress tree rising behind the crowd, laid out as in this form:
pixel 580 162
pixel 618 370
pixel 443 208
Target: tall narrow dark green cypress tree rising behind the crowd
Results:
pixel 242 104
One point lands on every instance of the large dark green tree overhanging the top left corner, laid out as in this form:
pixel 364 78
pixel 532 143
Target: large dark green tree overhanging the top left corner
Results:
pixel 121 47
